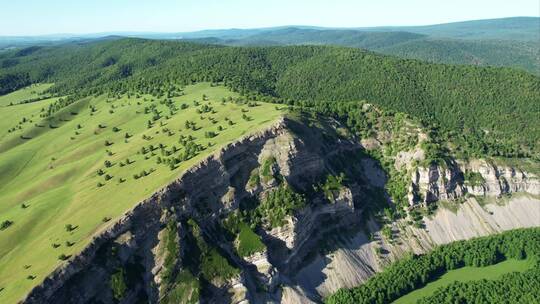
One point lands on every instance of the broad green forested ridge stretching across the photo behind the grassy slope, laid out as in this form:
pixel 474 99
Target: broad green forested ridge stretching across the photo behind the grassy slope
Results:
pixel 494 109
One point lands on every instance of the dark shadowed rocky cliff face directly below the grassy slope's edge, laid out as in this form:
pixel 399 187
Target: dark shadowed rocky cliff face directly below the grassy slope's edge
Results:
pixel 206 194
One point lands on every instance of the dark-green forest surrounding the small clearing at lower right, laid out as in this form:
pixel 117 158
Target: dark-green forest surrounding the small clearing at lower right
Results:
pixel 415 271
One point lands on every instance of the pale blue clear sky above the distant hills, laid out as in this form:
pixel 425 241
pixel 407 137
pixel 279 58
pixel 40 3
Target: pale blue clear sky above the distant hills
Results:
pixel 33 17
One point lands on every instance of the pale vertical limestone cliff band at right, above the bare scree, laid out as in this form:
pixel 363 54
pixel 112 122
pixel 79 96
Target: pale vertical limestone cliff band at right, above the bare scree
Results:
pixel 477 177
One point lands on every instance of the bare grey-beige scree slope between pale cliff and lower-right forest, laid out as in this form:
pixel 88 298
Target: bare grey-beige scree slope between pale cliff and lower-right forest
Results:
pixel 356 259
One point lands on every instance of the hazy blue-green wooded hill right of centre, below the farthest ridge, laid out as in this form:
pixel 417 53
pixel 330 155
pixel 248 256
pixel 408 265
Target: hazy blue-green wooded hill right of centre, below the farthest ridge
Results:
pixel 491 52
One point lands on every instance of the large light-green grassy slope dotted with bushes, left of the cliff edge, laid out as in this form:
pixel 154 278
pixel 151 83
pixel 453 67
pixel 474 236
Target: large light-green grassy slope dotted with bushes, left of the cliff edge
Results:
pixel 73 169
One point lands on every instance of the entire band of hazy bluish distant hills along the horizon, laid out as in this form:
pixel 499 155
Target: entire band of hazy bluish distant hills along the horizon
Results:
pixel 508 42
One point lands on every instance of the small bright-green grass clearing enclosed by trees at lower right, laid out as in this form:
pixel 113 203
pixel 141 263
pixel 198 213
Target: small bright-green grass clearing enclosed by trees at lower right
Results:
pixel 465 274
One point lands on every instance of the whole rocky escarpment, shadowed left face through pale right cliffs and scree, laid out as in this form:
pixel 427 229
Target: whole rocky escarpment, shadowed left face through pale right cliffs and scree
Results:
pixel 332 242
